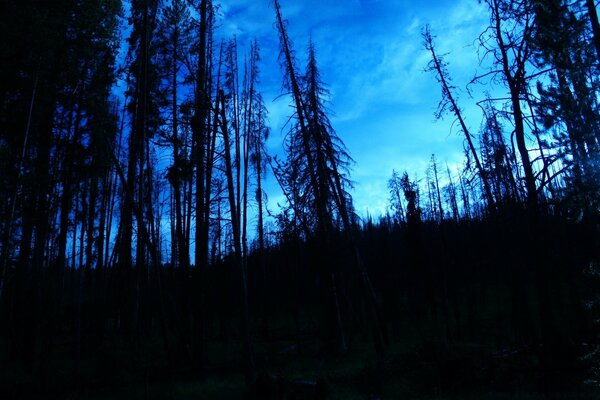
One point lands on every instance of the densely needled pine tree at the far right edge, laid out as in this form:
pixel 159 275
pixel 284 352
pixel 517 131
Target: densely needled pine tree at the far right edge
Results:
pixel 567 99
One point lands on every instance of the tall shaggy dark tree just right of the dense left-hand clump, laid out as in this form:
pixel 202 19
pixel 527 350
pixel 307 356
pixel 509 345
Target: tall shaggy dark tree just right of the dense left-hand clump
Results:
pixel 138 182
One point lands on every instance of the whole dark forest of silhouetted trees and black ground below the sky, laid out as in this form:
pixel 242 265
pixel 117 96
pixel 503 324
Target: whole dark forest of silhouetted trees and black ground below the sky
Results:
pixel 140 257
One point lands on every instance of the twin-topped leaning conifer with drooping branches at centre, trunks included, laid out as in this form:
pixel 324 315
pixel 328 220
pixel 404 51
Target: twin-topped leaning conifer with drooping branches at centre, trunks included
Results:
pixel 316 164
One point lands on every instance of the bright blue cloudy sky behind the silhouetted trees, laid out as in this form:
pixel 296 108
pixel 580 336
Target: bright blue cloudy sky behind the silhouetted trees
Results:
pixel 371 56
